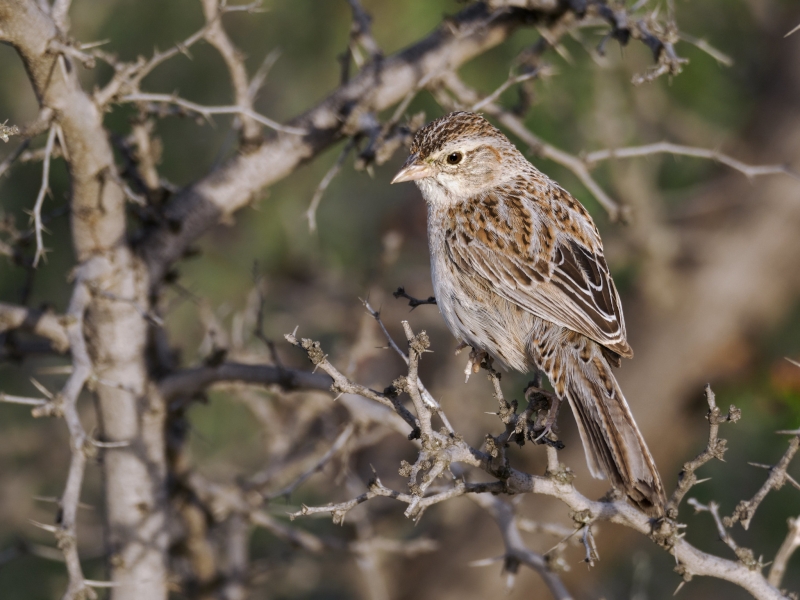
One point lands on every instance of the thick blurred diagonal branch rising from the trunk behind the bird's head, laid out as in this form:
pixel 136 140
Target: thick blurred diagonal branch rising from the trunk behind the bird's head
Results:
pixel 378 86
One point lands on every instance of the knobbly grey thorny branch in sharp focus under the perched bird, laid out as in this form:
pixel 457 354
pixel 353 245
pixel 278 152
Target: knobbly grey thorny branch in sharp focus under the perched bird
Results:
pixel 438 453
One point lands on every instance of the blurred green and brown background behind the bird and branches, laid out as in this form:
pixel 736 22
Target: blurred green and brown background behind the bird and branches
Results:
pixel 709 271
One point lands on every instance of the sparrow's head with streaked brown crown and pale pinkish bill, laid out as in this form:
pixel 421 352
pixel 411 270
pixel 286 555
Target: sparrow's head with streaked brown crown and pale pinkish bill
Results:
pixel 457 156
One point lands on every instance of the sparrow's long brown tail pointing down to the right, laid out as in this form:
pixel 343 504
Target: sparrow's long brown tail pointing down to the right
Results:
pixel 613 444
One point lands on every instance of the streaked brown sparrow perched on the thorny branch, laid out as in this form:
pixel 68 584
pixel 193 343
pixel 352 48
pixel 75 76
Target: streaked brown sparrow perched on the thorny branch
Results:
pixel 519 273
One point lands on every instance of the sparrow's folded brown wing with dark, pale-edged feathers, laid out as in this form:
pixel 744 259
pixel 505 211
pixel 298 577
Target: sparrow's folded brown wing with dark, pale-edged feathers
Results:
pixel 560 274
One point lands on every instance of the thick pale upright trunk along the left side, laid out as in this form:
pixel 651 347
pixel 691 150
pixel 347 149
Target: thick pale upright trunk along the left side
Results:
pixel 115 331
